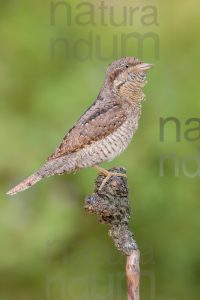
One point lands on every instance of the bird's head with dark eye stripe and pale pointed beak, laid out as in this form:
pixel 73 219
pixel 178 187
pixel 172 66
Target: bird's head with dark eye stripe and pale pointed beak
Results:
pixel 129 73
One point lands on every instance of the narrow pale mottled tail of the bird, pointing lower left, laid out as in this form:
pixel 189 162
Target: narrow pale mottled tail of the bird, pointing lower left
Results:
pixel 26 184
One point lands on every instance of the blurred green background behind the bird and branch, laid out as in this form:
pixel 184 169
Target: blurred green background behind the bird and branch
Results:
pixel 50 247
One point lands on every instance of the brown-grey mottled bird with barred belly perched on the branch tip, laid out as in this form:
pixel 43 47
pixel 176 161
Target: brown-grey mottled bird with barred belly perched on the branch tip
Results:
pixel 105 129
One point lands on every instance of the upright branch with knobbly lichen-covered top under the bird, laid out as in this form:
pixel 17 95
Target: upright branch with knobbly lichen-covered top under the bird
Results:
pixel 111 204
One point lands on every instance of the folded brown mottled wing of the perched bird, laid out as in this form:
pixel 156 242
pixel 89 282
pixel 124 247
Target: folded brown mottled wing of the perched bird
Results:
pixel 100 120
